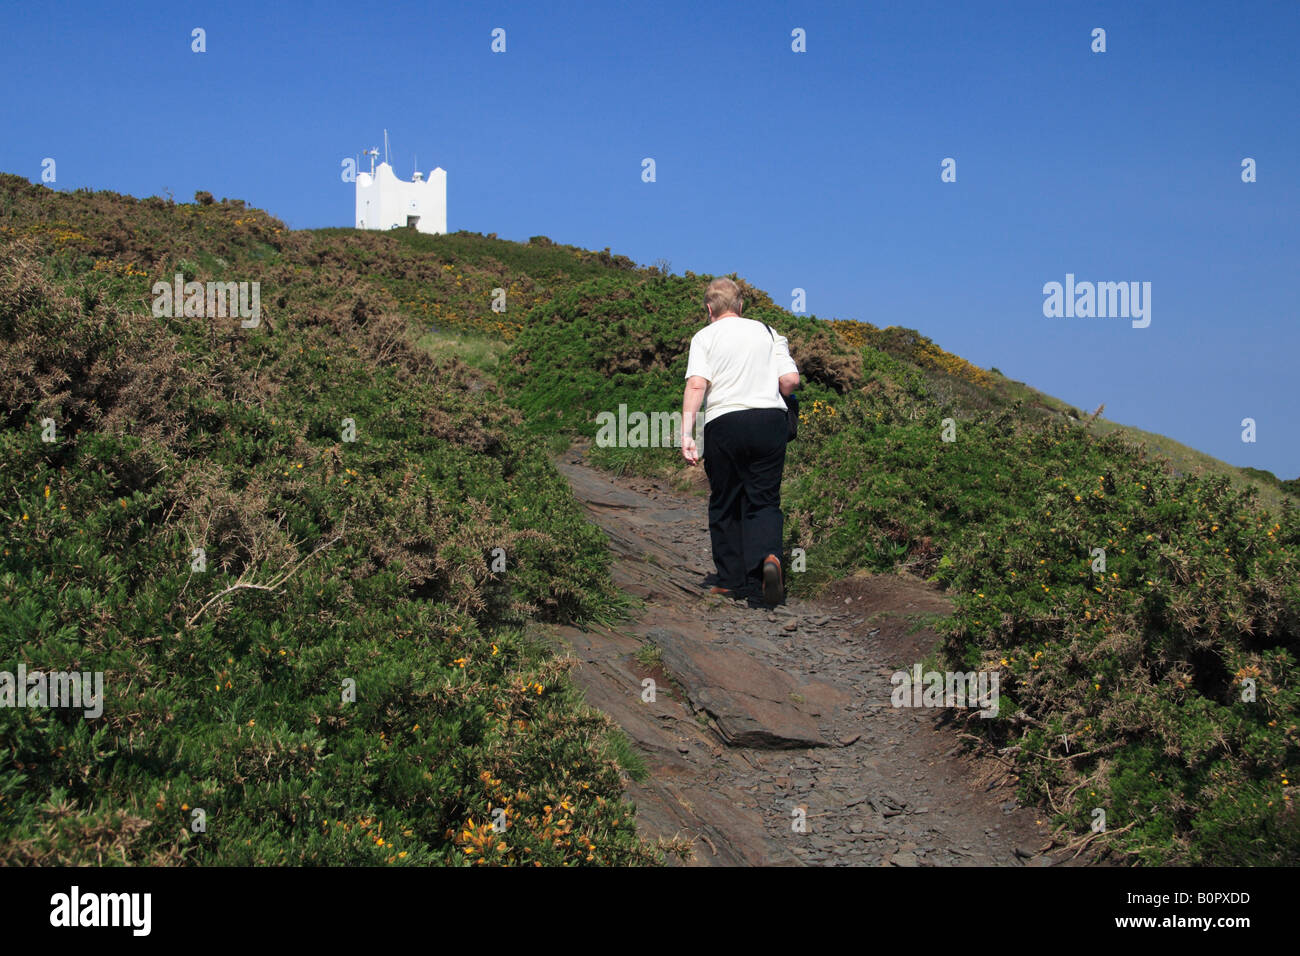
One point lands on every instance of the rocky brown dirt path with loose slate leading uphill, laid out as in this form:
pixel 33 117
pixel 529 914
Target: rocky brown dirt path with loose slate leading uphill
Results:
pixel 765 723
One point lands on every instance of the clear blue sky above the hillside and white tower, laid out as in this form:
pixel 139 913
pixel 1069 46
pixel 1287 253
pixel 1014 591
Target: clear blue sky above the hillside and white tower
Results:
pixel 818 170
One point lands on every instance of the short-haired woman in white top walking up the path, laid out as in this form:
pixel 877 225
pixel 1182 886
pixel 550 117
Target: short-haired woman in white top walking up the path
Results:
pixel 743 369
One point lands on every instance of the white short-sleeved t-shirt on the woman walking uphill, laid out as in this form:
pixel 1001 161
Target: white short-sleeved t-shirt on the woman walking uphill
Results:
pixel 743 364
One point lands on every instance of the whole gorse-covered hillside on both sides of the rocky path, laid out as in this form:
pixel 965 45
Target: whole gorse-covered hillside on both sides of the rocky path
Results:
pixel 332 560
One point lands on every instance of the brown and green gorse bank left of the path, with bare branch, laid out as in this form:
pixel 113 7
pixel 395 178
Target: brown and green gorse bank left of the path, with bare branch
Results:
pixel 331 569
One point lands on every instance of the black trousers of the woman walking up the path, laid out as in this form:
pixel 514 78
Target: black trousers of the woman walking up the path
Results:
pixel 744 460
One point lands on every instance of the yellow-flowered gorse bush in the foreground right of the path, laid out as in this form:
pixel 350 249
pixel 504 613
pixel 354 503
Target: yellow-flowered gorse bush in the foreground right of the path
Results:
pixel 1158 681
